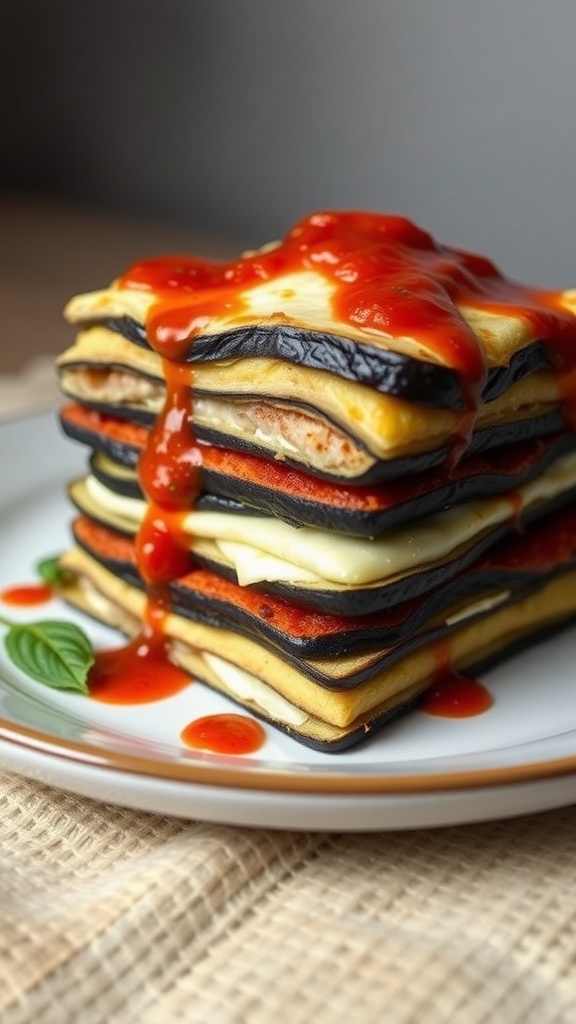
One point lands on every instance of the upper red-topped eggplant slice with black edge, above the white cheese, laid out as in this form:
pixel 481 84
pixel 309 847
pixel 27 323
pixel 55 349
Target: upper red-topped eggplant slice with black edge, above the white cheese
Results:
pixel 244 484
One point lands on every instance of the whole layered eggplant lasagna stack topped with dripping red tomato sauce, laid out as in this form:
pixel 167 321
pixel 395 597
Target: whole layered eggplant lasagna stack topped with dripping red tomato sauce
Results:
pixel 346 462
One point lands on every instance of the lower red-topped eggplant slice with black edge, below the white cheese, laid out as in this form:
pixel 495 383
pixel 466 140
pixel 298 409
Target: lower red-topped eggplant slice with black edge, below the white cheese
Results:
pixel 510 571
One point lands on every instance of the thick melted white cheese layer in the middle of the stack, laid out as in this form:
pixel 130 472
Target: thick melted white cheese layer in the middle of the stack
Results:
pixel 263 548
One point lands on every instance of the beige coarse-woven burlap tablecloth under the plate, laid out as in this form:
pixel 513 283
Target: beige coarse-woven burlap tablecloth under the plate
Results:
pixel 112 917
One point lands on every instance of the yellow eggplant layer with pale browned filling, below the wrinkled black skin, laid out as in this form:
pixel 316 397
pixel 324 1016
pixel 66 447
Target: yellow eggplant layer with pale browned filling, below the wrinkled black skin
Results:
pixel 310 418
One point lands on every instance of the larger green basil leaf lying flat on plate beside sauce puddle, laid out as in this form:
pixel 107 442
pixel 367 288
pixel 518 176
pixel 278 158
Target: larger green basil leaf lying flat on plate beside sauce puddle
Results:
pixel 55 653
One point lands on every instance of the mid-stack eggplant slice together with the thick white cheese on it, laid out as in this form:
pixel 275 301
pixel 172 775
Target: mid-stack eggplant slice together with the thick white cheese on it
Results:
pixel 345 575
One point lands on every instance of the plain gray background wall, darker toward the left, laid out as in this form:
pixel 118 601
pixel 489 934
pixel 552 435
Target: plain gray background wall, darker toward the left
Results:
pixel 242 115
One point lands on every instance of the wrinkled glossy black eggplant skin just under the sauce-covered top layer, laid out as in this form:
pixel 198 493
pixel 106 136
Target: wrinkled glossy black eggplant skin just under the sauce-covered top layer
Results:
pixel 392 373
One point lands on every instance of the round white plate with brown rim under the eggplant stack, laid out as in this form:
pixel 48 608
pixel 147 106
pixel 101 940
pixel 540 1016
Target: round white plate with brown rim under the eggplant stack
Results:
pixel 423 772
